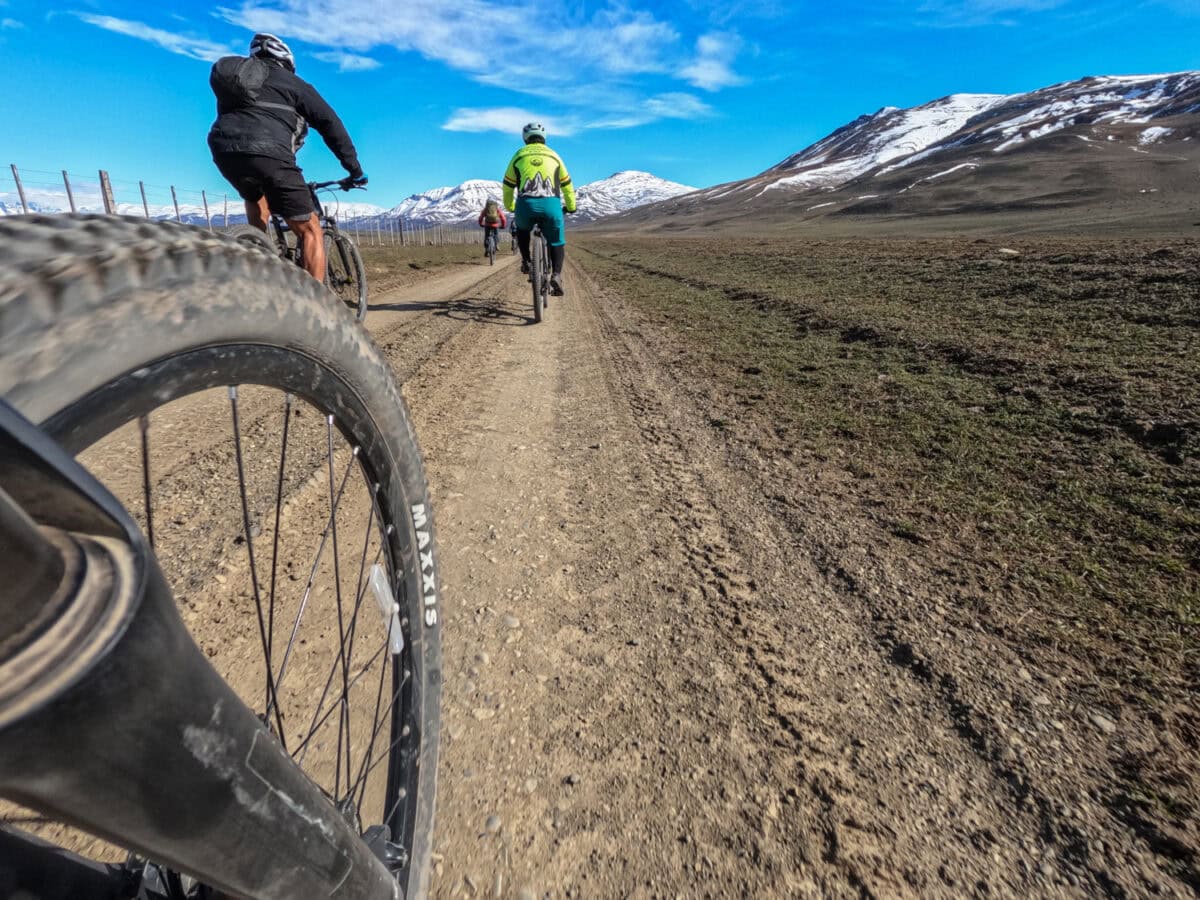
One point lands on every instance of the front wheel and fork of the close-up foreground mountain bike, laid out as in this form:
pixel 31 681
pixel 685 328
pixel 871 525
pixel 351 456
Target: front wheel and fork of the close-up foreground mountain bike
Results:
pixel 220 650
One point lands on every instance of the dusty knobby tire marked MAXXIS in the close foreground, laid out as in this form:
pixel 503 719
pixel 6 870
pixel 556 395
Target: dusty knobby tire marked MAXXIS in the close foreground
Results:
pixel 149 314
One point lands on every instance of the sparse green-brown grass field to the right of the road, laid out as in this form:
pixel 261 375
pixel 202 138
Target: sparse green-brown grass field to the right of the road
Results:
pixel 1037 416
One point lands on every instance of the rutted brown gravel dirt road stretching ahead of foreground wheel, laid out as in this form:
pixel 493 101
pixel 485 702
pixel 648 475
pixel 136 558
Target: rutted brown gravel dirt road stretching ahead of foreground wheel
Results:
pixel 675 669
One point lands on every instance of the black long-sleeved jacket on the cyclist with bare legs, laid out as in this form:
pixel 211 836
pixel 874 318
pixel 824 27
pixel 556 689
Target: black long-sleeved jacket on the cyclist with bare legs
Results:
pixel 277 124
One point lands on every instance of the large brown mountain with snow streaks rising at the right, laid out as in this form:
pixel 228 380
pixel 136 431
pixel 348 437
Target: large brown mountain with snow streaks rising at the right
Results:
pixel 1070 146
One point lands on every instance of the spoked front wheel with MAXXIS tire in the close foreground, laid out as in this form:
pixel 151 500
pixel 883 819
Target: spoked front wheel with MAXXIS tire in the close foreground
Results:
pixel 268 424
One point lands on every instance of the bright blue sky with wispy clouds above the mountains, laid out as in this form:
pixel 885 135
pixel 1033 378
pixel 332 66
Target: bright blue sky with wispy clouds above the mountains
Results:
pixel 434 93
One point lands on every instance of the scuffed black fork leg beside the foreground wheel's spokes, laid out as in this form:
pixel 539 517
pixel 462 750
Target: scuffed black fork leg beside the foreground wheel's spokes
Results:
pixel 98 733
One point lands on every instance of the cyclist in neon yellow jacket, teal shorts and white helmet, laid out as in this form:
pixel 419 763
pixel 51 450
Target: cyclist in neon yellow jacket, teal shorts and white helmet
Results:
pixel 544 190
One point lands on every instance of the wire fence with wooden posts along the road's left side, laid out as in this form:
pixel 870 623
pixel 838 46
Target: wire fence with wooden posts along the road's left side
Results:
pixel 26 191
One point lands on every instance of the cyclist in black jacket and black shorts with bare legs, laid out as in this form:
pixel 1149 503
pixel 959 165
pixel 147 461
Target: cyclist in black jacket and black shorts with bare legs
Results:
pixel 263 117
